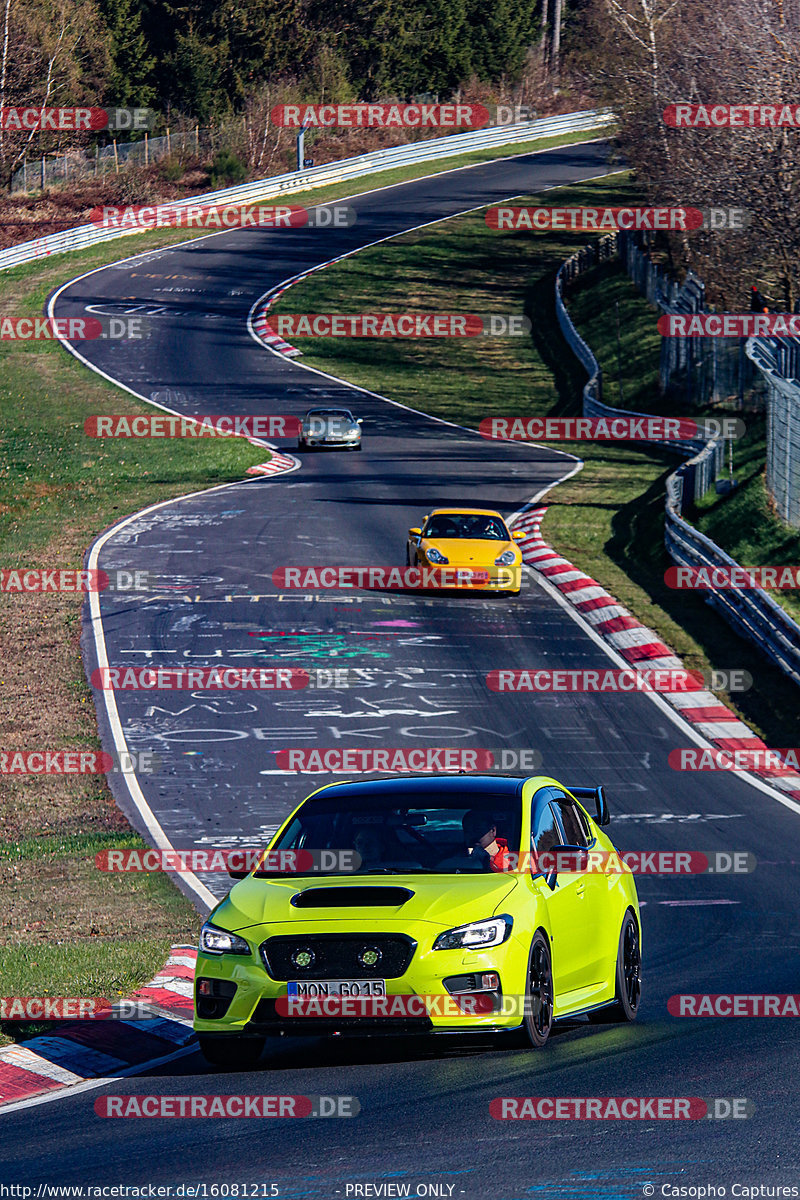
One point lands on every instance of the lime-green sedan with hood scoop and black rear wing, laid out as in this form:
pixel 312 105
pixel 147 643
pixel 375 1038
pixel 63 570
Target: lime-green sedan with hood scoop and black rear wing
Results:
pixel 479 904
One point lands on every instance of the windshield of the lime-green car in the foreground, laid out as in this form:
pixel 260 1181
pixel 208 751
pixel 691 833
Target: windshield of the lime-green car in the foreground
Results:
pixel 434 833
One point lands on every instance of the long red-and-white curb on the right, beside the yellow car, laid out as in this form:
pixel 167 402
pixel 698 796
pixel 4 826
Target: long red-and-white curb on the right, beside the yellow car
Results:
pixel 641 647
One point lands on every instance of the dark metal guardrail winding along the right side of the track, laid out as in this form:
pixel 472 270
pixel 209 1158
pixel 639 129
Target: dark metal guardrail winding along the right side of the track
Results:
pixel 754 614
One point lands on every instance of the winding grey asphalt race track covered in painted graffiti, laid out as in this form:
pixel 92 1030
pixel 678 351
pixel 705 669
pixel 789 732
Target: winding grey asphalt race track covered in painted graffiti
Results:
pixel 417 679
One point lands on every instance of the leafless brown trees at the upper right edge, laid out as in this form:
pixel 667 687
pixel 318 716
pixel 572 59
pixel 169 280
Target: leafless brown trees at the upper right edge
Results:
pixel 648 55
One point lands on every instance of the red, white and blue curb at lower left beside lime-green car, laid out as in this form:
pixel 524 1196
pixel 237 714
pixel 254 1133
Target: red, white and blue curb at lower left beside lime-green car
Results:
pixel 81 1051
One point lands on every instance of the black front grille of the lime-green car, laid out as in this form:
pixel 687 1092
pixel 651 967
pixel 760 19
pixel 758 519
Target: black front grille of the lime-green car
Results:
pixel 336 956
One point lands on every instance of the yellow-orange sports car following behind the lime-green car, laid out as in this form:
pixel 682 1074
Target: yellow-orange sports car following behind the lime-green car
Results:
pixel 476 541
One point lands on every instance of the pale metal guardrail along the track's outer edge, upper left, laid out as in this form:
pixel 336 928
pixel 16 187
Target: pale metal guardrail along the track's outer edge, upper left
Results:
pixel 588 122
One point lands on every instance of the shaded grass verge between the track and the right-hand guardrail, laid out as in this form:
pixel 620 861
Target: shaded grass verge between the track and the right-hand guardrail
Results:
pixel 610 518
